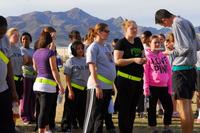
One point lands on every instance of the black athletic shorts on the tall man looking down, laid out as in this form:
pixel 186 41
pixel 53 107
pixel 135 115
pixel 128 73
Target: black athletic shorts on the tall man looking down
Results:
pixel 184 83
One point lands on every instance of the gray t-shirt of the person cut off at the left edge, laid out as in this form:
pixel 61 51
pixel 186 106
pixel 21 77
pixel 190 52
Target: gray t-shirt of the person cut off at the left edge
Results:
pixel 5 48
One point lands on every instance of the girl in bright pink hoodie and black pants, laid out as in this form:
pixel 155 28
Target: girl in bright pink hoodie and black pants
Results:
pixel 158 84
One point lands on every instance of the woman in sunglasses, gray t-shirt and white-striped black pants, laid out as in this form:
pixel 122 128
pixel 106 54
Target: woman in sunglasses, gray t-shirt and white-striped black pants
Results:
pixel 100 83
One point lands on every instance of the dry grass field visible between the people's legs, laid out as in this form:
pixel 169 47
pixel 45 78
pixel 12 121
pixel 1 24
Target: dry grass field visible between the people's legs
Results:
pixel 140 125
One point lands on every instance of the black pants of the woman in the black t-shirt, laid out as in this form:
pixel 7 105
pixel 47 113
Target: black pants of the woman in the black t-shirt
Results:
pixel 129 93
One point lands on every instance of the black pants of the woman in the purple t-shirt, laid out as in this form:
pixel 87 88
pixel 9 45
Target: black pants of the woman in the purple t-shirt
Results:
pixel 45 105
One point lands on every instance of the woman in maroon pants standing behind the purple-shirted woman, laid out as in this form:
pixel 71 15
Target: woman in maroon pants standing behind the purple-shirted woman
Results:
pixel 27 103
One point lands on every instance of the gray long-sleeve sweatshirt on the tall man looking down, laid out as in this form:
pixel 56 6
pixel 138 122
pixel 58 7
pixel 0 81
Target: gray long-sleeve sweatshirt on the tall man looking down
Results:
pixel 185 38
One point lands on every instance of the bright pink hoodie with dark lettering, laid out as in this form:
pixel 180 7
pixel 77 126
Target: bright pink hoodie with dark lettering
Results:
pixel 157 72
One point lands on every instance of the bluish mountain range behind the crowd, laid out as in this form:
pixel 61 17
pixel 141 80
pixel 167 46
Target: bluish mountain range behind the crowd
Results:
pixel 64 22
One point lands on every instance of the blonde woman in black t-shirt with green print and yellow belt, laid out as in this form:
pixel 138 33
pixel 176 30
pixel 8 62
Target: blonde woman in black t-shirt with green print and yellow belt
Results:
pixel 128 56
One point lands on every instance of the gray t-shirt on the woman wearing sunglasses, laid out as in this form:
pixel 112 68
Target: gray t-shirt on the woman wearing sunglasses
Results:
pixel 101 55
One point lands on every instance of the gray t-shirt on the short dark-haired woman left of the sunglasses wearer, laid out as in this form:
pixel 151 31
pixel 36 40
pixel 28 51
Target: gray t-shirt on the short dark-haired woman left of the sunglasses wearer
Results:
pixel 77 70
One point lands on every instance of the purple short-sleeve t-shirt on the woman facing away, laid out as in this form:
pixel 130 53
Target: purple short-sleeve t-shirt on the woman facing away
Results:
pixel 41 58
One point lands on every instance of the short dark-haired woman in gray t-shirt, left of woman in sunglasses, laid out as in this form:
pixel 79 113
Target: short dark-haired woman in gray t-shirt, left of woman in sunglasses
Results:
pixel 76 73
